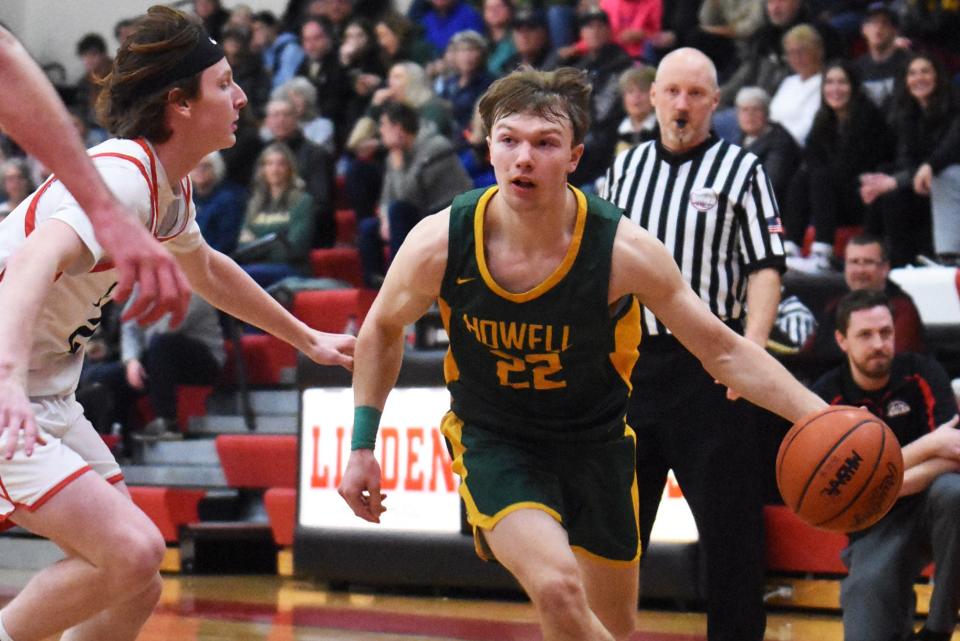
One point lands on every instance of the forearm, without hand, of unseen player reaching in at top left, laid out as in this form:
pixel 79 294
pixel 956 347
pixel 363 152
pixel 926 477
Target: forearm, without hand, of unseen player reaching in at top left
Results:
pixel 45 130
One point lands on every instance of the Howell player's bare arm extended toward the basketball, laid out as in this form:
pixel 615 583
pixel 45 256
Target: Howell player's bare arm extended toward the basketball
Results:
pixel 643 266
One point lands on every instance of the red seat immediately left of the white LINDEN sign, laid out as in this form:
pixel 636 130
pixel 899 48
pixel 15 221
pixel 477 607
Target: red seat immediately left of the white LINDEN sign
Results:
pixel 258 461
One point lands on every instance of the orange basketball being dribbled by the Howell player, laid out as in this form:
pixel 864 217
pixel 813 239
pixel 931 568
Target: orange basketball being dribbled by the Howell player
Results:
pixel 840 468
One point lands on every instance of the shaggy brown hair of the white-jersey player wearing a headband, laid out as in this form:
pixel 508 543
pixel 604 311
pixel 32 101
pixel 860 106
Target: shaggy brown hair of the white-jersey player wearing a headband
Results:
pixel 128 105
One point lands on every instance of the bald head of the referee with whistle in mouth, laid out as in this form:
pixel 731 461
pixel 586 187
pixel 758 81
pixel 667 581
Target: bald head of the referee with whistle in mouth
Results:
pixel 685 94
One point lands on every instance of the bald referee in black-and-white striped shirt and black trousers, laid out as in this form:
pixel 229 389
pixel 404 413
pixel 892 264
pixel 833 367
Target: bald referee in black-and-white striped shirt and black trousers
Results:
pixel 712 206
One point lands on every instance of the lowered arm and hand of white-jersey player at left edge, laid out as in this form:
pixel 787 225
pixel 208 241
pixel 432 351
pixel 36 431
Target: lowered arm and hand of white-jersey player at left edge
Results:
pixel 27 278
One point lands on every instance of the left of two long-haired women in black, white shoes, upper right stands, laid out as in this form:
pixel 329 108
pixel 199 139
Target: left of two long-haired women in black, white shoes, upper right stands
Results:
pixel 850 136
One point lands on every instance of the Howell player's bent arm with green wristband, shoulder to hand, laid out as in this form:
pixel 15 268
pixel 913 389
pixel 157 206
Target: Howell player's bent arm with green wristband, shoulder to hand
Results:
pixel 410 287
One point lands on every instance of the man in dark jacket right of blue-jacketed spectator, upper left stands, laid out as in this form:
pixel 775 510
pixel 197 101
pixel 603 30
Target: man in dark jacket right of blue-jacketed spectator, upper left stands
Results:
pixel 321 66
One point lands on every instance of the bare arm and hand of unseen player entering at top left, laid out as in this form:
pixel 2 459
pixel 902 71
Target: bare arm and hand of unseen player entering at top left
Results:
pixel 31 112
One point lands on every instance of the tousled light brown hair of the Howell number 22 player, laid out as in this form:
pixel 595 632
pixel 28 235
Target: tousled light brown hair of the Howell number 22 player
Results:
pixel 563 94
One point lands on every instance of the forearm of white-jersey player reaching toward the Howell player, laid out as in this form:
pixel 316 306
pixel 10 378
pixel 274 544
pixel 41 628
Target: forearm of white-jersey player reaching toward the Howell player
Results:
pixel 222 283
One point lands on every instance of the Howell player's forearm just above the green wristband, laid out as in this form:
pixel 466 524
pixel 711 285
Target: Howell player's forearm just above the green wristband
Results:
pixel 376 363
